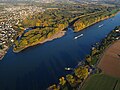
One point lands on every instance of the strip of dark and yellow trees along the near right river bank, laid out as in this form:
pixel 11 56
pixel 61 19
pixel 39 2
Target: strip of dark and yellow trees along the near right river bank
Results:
pixel 89 67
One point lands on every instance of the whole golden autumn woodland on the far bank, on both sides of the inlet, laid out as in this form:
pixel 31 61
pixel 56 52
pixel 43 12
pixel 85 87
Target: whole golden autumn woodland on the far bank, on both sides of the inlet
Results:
pixel 53 24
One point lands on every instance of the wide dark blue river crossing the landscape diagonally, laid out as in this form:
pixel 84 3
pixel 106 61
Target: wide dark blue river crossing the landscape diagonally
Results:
pixel 40 66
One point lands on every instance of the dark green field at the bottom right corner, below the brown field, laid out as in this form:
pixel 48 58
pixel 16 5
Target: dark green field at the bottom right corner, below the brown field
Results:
pixel 101 82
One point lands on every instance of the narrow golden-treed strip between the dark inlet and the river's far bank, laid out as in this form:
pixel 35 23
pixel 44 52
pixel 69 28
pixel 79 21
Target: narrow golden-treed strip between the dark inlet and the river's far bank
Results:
pixel 85 22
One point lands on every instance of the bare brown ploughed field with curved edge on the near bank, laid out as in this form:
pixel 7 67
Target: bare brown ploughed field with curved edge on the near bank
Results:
pixel 110 62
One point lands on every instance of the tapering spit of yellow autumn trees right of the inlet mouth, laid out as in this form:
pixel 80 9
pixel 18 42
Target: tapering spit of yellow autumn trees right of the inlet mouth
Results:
pixel 79 25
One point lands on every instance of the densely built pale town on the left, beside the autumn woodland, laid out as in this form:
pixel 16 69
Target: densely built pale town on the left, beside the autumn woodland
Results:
pixel 11 15
